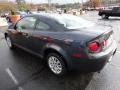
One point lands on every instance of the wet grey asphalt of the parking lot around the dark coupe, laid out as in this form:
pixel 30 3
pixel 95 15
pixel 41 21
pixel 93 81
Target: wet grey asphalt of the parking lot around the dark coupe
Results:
pixel 20 70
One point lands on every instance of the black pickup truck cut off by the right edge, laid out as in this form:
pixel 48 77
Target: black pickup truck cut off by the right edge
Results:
pixel 114 12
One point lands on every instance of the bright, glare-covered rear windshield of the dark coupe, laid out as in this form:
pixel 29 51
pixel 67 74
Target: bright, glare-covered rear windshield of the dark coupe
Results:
pixel 74 22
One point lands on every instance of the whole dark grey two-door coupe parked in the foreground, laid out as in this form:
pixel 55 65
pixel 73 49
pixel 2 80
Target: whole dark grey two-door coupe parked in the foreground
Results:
pixel 65 42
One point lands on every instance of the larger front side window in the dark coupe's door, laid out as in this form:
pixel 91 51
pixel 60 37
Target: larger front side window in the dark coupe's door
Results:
pixel 26 23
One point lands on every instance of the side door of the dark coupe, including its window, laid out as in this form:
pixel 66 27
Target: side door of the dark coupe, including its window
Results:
pixel 25 28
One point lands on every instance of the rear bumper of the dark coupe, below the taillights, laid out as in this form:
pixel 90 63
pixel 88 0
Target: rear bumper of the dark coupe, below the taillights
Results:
pixel 95 62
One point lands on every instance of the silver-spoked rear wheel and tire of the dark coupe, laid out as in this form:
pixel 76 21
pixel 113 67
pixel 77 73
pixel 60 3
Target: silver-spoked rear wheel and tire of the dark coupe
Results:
pixel 56 64
